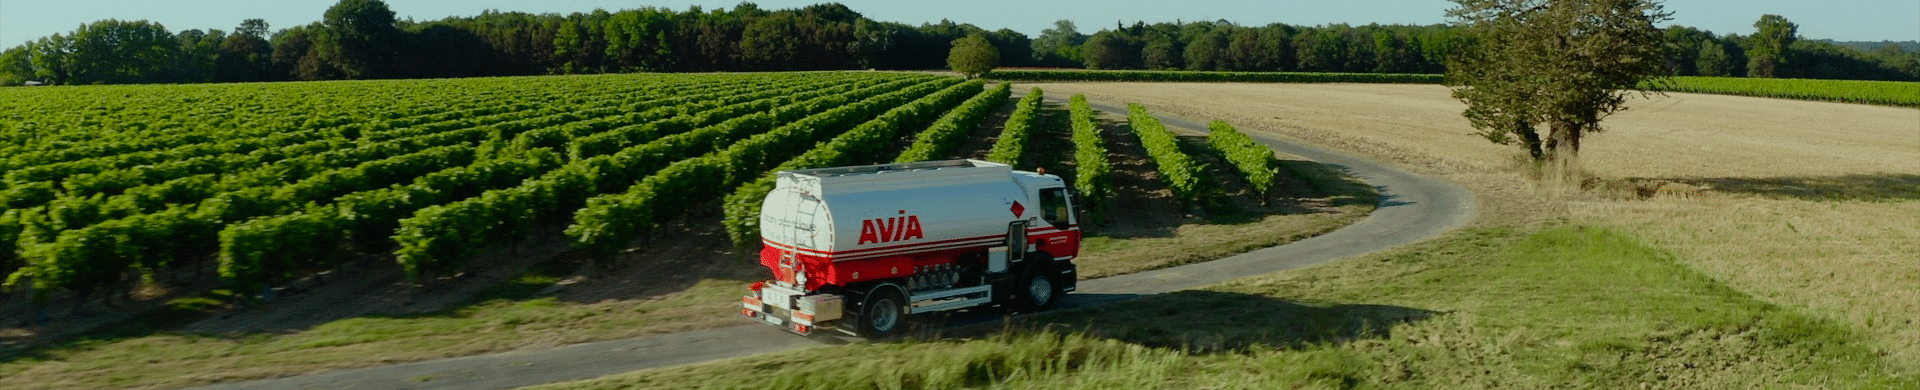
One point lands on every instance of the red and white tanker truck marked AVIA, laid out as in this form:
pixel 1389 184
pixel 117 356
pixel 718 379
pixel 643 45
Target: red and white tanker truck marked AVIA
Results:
pixel 861 249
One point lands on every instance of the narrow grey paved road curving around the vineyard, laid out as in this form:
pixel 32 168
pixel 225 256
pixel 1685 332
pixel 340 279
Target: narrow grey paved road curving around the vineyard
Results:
pixel 1412 208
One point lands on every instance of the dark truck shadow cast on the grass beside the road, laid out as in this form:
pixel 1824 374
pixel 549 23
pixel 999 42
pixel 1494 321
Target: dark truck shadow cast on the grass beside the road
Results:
pixel 1195 322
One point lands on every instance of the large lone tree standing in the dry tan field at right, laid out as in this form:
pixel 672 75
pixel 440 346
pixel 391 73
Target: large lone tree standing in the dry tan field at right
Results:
pixel 1562 64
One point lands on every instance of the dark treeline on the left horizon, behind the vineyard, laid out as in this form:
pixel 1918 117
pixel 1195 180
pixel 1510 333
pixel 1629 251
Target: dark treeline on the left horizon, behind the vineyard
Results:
pixel 360 39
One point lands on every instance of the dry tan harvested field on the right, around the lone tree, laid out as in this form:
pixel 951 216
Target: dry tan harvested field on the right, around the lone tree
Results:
pixel 1802 205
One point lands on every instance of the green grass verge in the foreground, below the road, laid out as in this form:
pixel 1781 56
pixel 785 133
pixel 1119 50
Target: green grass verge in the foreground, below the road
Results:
pixel 1489 308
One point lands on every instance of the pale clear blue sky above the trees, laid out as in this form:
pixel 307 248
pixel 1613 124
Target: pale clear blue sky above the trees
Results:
pixel 1842 20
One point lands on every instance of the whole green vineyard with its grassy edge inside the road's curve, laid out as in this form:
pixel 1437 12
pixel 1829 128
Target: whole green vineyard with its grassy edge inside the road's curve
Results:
pixel 203 203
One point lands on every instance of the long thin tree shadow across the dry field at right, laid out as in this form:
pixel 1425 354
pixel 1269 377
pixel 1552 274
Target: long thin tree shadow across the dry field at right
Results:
pixel 1846 187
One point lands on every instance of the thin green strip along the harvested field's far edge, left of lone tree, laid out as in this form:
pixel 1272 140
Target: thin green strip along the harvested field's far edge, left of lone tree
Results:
pixel 1218 78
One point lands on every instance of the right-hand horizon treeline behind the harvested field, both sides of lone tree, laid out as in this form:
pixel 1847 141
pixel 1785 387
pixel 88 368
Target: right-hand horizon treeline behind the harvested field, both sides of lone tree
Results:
pixel 1775 51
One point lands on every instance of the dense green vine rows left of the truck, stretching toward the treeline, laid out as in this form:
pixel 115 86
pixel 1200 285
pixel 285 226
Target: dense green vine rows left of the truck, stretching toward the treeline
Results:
pixel 277 182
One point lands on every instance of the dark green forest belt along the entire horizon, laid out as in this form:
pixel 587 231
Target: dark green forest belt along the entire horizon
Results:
pixel 362 39
